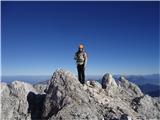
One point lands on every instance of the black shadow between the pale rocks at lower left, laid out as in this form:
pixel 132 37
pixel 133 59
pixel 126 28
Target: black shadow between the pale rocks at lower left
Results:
pixel 35 102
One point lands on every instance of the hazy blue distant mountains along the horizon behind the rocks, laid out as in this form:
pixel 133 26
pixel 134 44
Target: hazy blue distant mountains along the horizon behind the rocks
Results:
pixel 138 79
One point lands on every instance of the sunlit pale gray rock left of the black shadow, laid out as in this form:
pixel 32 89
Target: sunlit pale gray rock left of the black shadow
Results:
pixel 14 100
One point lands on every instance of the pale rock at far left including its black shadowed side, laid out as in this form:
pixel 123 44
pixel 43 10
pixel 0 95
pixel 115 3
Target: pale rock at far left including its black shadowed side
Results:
pixel 20 101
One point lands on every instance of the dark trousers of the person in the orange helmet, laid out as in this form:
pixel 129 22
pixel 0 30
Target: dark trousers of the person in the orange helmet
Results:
pixel 81 74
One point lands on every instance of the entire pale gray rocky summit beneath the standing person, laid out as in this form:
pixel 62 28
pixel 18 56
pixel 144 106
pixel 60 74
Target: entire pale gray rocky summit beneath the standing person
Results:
pixel 63 97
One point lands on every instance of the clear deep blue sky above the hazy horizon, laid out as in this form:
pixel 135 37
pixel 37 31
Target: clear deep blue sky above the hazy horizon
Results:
pixel 119 37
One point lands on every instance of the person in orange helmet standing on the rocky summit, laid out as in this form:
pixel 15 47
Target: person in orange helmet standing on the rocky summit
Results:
pixel 81 61
